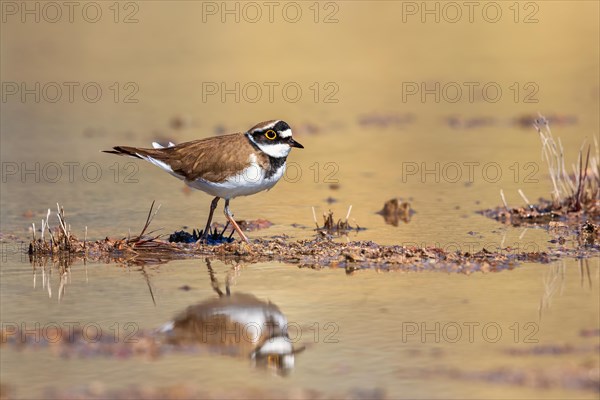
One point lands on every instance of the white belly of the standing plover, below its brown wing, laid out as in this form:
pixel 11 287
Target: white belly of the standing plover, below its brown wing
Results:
pixel 252 180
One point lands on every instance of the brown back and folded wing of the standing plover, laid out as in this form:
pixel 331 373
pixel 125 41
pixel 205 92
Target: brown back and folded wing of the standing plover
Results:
pixel 212 159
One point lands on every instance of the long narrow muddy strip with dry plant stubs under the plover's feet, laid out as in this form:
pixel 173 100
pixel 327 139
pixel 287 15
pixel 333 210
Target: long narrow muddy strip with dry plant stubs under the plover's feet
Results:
pixel 62 247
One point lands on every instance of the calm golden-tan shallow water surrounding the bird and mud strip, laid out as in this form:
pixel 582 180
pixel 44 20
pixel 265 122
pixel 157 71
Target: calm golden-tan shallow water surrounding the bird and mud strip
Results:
pixel 368 55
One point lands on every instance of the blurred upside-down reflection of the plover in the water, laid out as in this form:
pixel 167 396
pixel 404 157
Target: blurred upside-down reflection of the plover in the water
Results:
pixel 237 324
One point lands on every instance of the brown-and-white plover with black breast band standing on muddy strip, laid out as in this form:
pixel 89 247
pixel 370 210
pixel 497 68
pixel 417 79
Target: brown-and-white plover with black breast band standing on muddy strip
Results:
pixel 228 166
